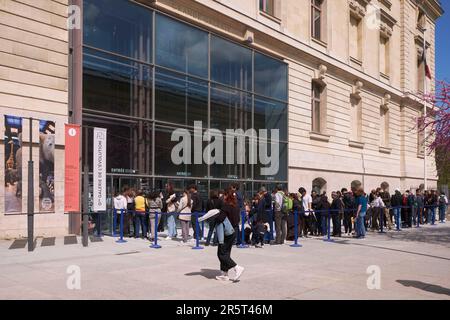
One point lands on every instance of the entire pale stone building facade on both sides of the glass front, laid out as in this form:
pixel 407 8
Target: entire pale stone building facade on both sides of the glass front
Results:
pixel 354 78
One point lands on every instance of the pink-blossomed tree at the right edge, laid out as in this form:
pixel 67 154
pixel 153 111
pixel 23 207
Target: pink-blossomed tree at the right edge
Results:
pixel 437 124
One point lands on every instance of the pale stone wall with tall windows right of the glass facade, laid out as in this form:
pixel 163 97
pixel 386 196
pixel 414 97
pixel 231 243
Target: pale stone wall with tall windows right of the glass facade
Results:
pixel 288 35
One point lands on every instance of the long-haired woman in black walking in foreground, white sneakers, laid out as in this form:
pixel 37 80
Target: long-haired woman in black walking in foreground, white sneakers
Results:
pixel 230 210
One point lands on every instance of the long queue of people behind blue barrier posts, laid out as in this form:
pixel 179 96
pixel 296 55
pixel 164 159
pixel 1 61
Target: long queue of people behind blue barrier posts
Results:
pixel 270 216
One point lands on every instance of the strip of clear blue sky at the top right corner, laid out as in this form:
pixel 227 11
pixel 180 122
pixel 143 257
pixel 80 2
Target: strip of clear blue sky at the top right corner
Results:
pixel 443 44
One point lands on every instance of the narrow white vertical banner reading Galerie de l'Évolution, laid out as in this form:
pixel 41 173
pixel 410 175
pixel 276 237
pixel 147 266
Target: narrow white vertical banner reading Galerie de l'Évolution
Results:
pixel 99 169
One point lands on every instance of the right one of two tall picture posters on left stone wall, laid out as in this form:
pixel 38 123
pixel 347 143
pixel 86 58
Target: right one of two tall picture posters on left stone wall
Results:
pixel 46 166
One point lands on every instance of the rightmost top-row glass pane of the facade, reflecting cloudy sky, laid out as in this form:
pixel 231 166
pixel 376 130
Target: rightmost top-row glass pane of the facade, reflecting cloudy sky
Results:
pixel 270 77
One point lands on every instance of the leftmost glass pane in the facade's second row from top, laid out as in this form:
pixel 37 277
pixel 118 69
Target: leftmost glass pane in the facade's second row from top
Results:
pixel 112 84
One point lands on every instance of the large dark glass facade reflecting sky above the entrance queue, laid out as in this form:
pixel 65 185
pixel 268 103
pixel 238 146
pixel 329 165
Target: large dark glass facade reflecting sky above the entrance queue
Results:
pixel 147 74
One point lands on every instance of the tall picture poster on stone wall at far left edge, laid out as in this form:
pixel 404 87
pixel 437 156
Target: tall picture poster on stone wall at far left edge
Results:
pixel 13 164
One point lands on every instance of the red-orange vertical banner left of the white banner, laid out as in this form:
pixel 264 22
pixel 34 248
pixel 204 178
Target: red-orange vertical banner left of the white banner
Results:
pixel 72 169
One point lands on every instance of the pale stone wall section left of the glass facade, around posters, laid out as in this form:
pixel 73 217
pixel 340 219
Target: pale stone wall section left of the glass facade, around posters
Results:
pixel 34 83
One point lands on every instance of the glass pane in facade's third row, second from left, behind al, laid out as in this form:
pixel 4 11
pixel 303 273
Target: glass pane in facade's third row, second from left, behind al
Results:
pixel 164 164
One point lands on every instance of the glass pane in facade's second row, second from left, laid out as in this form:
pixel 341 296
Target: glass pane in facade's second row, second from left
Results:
pixel 180 99
